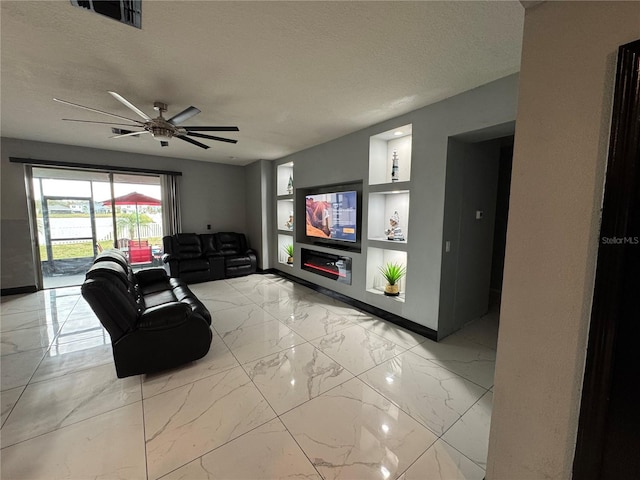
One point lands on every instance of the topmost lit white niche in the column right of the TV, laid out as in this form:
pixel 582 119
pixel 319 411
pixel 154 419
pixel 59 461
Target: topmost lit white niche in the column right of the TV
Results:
pixel 381 149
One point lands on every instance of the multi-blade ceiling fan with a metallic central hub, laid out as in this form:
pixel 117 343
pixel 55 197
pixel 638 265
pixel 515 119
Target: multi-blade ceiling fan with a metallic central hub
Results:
pixel 160 128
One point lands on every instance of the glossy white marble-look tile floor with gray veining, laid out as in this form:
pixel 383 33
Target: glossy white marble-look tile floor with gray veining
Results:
pixel 296 385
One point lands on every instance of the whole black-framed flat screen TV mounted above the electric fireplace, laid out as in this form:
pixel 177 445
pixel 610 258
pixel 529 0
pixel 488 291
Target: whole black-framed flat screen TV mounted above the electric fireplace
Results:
pixel 332 216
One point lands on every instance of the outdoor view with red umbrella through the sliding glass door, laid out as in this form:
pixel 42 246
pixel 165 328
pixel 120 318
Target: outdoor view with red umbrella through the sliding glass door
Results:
pixel 78 217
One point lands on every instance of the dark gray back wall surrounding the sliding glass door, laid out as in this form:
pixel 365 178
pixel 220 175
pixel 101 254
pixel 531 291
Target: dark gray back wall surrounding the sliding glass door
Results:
pixel 210 194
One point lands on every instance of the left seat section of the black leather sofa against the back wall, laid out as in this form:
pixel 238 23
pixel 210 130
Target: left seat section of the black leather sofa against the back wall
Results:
pixel 193 257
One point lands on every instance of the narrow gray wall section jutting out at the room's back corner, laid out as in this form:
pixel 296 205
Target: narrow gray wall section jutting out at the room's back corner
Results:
pixel 258 178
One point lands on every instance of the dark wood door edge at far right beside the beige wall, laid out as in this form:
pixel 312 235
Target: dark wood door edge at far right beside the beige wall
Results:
pixel 617 254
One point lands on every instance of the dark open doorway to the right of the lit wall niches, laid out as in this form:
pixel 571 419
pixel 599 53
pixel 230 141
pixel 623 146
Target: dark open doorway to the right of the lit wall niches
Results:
pixel 477 192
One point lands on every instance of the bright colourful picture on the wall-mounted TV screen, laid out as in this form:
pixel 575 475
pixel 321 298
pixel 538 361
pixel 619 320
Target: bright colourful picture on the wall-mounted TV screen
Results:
pixel 332 215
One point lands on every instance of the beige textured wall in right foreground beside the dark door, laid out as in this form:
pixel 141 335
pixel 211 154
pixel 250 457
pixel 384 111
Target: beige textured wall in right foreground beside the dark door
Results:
pixel 562 130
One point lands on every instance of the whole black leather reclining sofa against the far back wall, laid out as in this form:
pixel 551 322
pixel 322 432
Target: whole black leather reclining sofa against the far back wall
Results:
pixel 203 257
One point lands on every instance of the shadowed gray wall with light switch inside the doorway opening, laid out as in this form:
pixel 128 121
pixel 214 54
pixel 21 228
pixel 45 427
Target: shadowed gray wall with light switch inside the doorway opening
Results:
pixel 471 185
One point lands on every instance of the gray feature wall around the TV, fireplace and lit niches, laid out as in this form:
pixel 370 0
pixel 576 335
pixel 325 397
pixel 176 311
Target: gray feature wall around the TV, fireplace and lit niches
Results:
pixel 346 159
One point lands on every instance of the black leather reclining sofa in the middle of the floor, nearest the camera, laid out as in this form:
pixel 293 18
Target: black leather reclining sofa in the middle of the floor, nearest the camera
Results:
pixel 155 322
